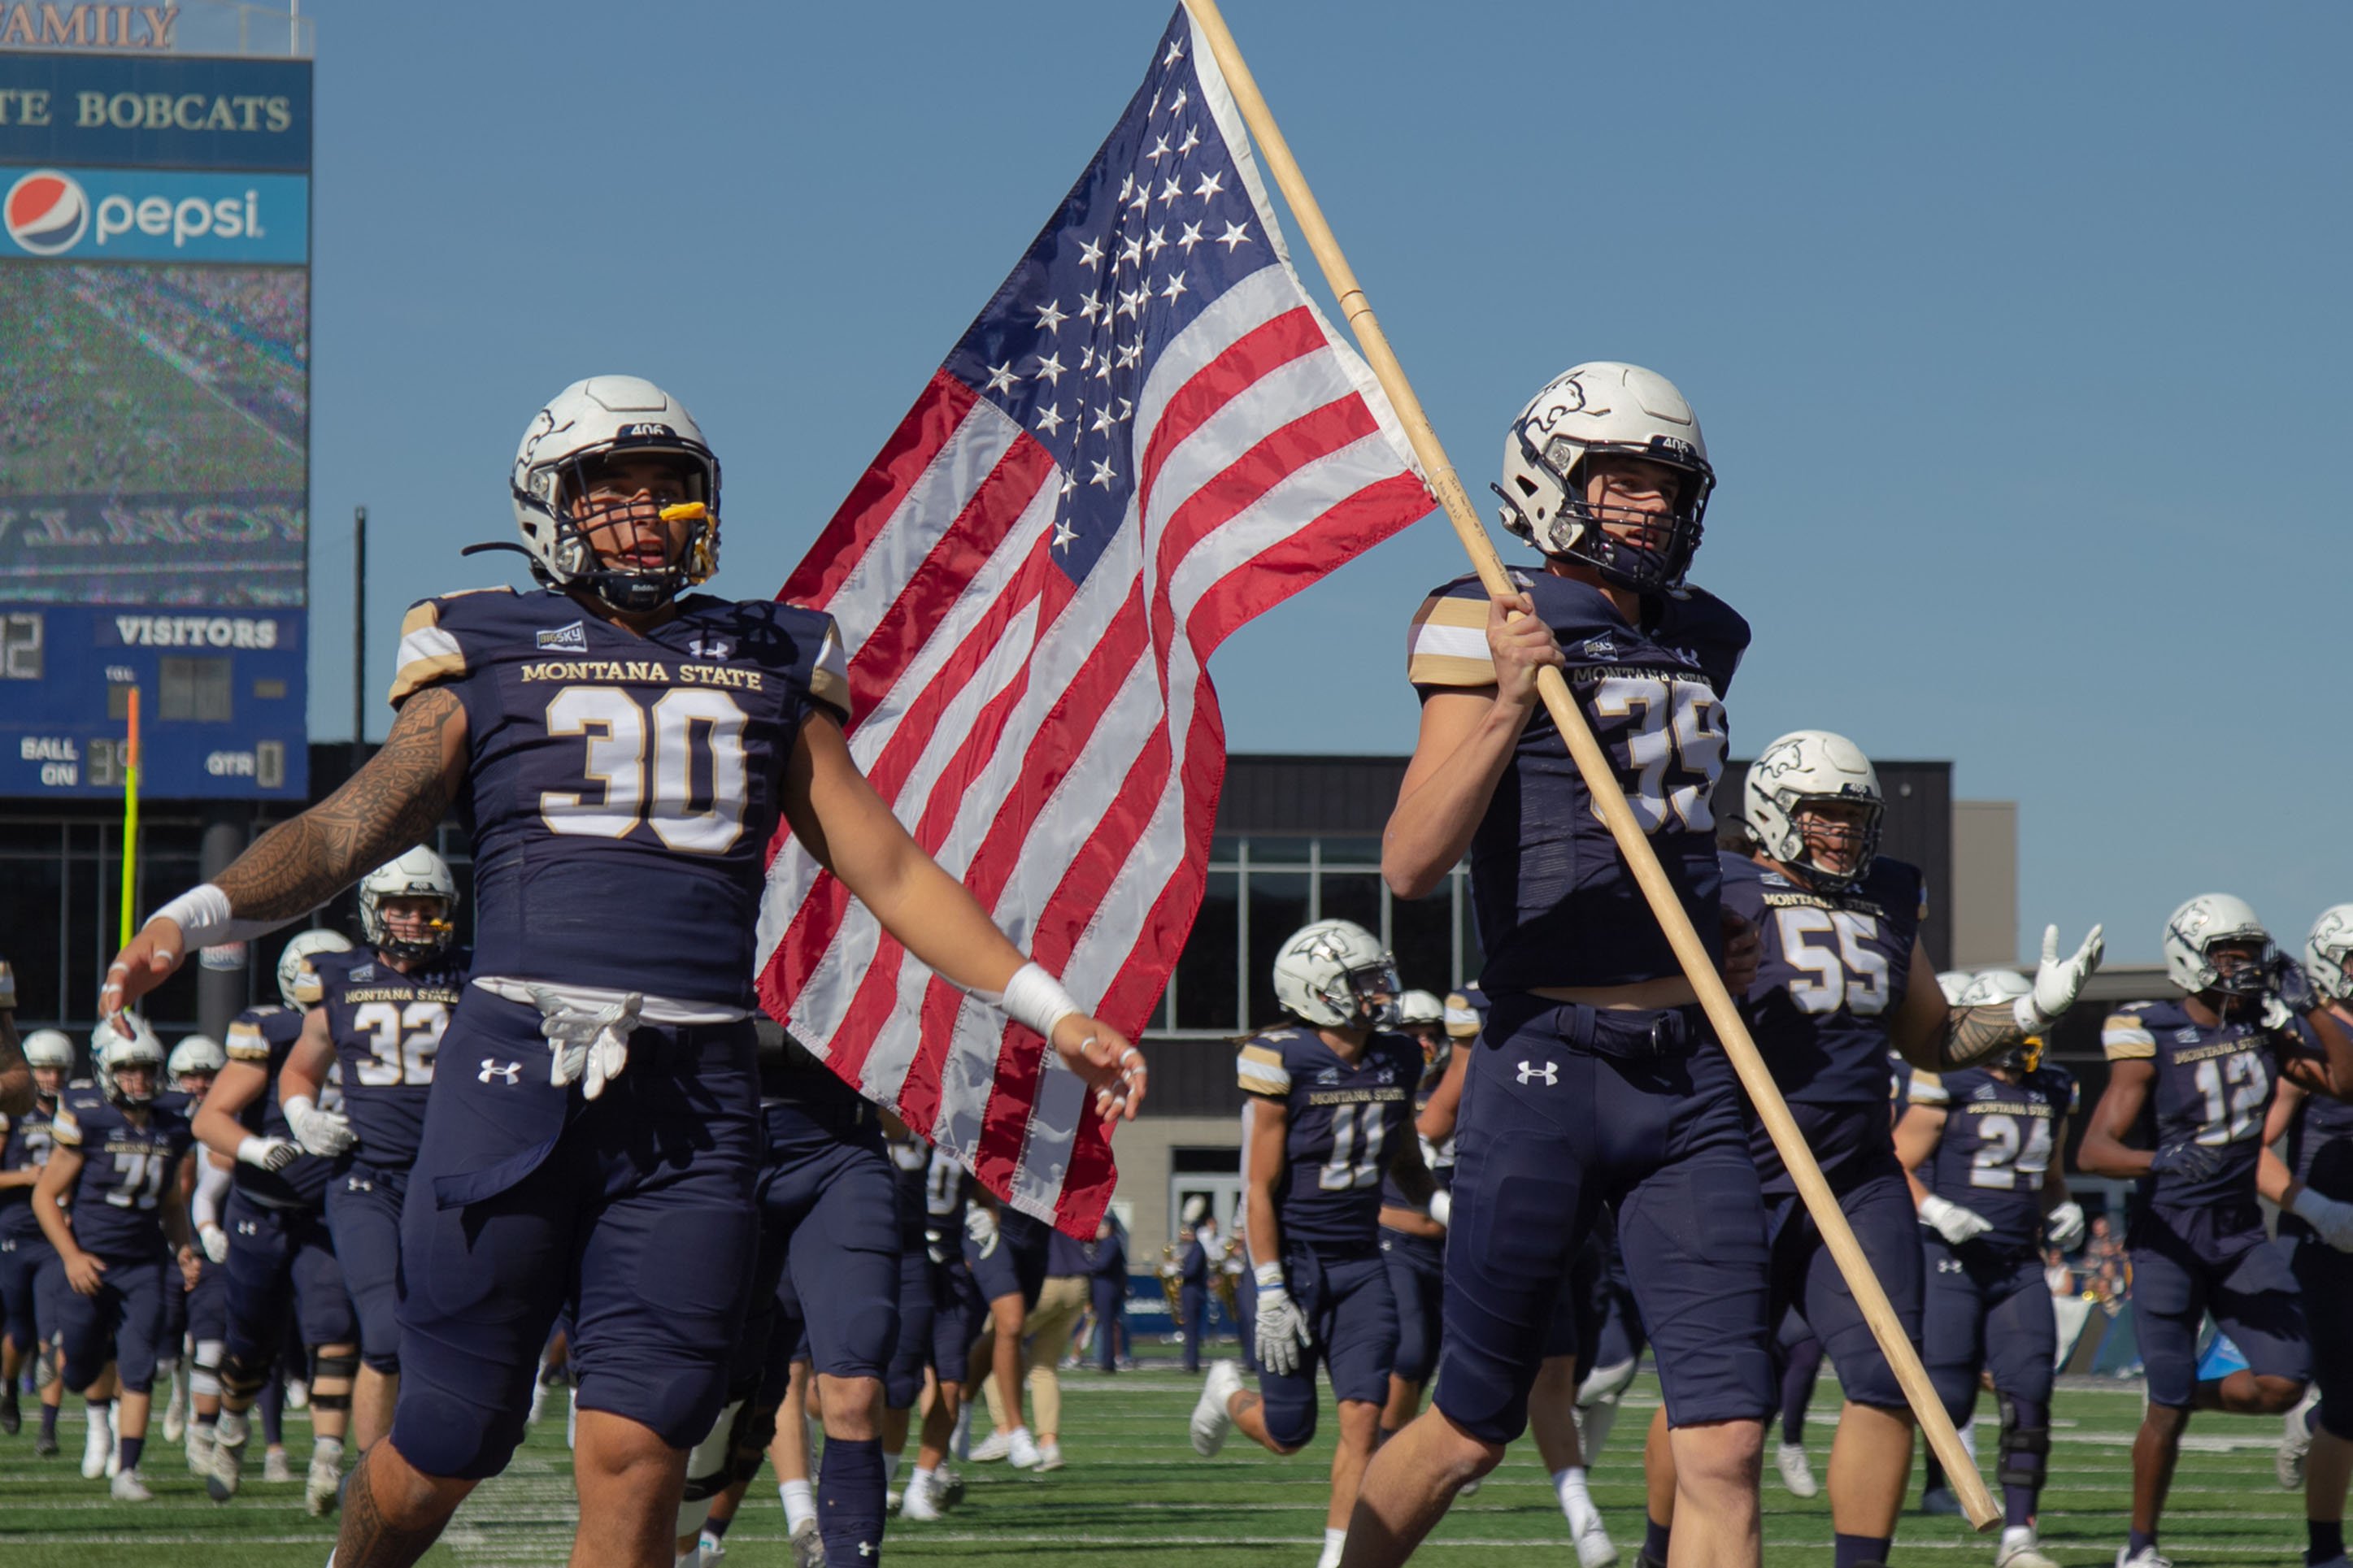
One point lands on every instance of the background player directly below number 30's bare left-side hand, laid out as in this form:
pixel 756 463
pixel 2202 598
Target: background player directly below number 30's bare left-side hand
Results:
pixel 119 1158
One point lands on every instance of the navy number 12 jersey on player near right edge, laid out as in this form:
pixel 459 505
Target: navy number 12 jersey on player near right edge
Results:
pixel 2213 1087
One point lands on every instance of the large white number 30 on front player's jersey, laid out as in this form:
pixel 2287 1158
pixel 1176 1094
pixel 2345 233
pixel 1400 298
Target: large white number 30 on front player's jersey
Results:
pixel 698 753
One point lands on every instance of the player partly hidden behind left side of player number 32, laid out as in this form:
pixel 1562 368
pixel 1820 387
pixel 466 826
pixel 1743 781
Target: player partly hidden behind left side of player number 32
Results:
pixel 279 1252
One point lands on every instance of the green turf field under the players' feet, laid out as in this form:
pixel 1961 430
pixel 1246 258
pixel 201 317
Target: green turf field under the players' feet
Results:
pixel 1135 1492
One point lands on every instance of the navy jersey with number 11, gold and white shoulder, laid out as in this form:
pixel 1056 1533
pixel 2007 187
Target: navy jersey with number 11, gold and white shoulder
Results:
pixel 1345 1130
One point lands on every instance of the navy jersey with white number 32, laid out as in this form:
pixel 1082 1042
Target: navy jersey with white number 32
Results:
pixel 387 1031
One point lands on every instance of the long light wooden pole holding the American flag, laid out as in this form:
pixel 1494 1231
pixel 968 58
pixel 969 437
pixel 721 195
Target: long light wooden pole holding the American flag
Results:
pixel 1601 782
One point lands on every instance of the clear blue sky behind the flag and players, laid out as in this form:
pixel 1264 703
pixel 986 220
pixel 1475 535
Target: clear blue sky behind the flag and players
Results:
pixel 2018 335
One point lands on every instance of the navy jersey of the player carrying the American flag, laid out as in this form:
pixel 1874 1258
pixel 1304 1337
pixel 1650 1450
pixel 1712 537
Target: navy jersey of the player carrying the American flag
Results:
pixel 1557 904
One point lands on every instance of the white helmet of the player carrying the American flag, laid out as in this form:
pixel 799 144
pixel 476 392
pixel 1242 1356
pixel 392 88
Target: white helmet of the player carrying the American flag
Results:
pixel 1604 408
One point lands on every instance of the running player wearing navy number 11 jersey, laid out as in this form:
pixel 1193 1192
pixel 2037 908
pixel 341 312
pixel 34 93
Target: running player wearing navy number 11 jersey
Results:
pixel 1333 1104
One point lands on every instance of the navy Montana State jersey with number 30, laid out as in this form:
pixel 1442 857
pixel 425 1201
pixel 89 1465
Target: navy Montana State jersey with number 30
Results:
pixel 625 789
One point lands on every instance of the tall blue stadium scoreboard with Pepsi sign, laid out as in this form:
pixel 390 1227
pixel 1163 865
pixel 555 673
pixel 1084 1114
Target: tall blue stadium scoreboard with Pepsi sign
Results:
pixel 154 422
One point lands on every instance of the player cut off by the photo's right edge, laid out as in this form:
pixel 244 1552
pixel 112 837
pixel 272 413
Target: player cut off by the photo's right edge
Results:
pixel 2317 1193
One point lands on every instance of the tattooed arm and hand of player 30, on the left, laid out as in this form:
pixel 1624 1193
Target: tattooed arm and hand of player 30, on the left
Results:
pixel 389 805
